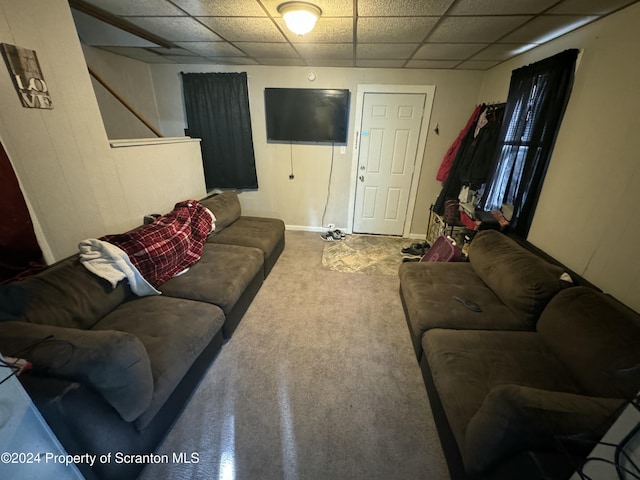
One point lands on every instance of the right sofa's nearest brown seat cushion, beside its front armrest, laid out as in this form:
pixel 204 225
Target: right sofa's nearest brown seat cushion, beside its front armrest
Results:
pixel 466 365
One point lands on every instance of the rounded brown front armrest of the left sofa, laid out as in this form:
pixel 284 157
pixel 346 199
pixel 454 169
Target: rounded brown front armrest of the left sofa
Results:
pixel 115 364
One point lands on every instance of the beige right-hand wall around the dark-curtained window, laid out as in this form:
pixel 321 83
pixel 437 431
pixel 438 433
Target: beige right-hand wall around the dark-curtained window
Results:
pixel 586 215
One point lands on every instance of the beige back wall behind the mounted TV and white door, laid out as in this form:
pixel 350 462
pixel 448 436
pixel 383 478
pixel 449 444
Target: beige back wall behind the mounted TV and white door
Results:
pixel 301 201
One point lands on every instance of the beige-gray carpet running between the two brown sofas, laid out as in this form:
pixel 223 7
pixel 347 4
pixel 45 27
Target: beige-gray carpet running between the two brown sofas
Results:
pixel 318 382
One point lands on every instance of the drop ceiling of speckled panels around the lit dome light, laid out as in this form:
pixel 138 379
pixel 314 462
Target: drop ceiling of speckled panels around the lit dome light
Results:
pixel 440 34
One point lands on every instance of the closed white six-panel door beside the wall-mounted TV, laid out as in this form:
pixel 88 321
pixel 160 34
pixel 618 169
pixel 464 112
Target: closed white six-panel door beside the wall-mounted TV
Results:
pixel 389 134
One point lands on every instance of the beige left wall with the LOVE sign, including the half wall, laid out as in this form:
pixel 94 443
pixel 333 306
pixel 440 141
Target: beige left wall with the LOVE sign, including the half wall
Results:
pixel 75 184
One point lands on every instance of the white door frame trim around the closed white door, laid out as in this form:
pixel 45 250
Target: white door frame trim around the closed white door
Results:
pixel 429 91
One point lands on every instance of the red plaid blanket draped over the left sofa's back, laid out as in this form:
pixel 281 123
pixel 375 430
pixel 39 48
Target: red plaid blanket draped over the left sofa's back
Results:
pixel 169 245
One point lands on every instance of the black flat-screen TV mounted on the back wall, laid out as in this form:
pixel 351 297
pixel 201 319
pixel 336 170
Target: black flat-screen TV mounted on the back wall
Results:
pixel 306 114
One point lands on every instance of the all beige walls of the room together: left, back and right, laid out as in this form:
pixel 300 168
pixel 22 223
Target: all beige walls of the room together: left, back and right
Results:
pixel 77 186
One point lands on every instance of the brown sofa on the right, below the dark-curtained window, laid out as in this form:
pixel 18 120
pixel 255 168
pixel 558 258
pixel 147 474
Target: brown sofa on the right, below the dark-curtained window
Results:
pixel 541 364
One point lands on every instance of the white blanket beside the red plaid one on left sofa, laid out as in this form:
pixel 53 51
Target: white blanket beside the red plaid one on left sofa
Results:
pixel 112 263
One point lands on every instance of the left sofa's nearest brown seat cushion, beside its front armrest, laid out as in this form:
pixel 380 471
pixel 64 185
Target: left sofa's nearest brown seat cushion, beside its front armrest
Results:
pixel 173 331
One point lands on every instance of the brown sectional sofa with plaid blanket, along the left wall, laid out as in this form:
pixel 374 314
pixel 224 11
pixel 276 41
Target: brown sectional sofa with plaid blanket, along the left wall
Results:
pixel 112 371
